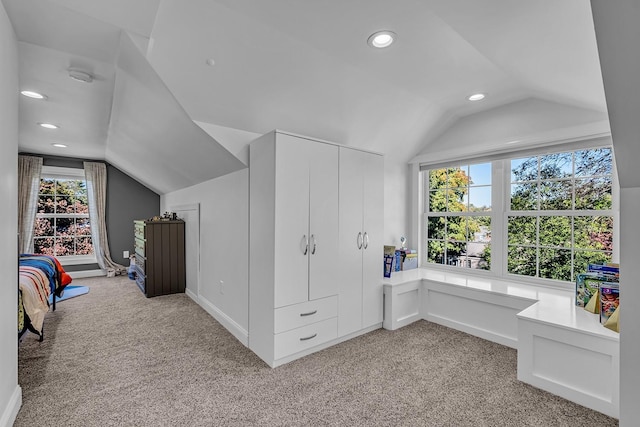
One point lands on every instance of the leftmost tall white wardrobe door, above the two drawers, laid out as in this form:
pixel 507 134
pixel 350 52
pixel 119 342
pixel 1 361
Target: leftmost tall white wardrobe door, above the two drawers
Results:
pixel 291 268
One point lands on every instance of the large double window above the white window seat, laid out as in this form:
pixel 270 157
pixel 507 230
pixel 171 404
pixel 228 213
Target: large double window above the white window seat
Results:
pixel 554 216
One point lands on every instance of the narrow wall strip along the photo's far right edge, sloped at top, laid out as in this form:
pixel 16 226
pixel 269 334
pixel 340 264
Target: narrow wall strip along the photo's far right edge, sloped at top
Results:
pixel 617 33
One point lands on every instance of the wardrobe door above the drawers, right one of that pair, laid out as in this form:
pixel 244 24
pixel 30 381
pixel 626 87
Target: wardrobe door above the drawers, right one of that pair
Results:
pixel 323 220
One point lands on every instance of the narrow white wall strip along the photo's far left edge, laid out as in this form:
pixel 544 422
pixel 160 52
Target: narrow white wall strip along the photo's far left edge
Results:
pixel 10 392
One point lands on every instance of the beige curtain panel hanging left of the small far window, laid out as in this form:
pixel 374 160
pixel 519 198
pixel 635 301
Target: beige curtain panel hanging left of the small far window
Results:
pixel 29 170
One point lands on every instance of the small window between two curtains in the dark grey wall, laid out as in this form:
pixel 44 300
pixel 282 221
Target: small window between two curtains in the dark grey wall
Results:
pixel 62 227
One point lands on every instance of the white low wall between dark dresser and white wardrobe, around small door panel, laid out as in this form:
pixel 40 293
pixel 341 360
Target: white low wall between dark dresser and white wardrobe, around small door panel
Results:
pixel 224 239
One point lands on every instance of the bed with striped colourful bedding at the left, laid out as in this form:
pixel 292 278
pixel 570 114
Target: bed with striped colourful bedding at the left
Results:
pixel 39 277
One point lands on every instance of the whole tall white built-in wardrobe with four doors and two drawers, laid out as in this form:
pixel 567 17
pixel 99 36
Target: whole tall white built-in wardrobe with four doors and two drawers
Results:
pixel 295 249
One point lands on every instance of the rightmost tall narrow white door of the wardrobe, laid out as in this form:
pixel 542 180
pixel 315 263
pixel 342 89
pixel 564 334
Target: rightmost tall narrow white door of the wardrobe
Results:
pixel 373 249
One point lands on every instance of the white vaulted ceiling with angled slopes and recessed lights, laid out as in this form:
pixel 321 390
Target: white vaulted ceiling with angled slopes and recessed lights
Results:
pixel 298 65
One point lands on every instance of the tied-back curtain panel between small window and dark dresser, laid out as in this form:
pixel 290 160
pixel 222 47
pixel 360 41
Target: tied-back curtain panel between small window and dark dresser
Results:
pixel 96 177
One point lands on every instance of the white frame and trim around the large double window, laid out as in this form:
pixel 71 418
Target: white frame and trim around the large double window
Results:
pixel 500 196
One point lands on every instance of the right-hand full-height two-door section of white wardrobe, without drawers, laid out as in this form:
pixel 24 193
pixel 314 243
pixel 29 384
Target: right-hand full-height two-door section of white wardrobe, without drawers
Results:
pixel 361 223
